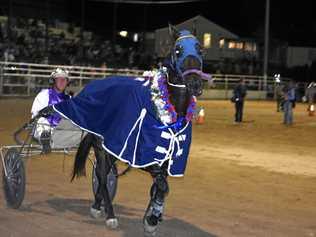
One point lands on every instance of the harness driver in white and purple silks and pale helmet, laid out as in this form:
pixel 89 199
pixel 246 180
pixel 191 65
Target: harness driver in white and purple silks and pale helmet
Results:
pixel 59 79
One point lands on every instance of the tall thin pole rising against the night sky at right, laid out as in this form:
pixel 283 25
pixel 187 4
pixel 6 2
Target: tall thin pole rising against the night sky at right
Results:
pixel 266 45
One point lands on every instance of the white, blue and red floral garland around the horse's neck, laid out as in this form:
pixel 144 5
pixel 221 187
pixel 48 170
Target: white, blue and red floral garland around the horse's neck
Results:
pixel 160 96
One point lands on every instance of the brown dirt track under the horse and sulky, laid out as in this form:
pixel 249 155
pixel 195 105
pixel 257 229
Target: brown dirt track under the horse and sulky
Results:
pixel 254 179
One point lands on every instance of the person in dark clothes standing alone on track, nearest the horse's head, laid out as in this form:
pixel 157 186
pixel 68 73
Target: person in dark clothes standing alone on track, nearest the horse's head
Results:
pixel 239 94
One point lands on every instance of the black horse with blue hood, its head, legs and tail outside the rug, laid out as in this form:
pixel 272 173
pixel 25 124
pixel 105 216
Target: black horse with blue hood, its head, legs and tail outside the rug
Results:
pixel 183 70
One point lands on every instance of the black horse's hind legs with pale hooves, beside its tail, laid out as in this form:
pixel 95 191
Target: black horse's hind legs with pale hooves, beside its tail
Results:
pixel 103 167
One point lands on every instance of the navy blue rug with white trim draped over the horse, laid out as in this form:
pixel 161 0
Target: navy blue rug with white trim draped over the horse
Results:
pixel 120 110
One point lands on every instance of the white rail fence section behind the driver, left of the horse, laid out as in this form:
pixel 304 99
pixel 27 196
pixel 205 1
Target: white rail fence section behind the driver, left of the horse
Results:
pixel 26 79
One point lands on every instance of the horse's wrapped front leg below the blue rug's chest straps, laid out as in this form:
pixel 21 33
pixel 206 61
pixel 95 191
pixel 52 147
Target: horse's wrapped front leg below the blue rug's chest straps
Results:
pixel 158 192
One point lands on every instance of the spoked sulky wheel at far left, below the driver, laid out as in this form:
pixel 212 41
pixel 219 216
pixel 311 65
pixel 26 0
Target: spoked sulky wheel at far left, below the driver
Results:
pixel 14 180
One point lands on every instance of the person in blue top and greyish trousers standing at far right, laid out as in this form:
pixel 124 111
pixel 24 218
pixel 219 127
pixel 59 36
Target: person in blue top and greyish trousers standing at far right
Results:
pixel 289 103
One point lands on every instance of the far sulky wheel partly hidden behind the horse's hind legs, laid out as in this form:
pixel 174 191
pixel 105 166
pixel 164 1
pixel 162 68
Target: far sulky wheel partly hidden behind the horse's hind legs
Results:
pixel 111 181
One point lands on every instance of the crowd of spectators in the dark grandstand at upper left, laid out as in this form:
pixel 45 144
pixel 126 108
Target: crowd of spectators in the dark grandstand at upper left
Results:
pixel 28 41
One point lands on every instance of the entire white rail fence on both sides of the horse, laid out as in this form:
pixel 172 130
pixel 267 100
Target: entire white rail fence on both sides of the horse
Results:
pixel 27 79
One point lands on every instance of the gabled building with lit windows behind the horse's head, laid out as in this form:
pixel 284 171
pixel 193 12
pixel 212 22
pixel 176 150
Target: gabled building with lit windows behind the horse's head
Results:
pixel 224 51
